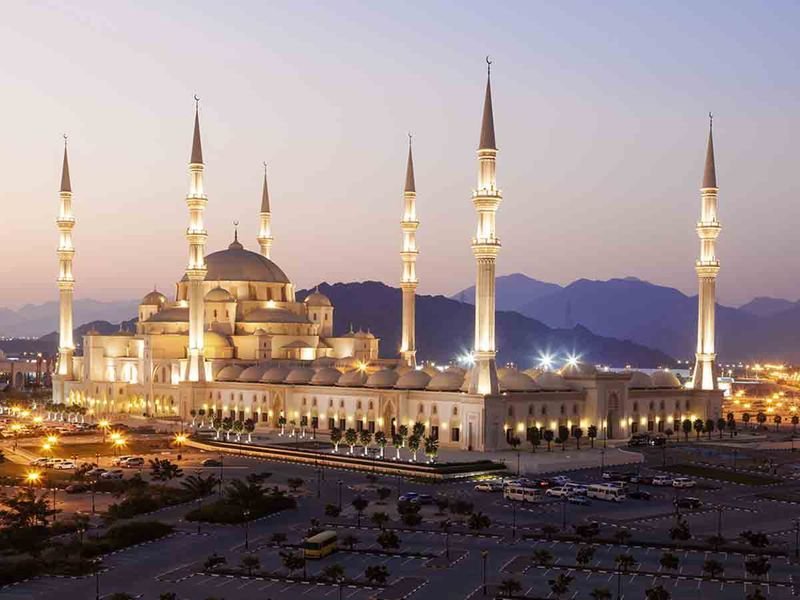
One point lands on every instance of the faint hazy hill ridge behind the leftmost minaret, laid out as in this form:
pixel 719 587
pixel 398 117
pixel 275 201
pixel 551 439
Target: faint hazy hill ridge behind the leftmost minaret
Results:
pixel 33 320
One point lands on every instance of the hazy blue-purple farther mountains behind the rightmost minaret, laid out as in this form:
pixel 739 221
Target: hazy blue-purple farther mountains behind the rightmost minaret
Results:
pixel 660 317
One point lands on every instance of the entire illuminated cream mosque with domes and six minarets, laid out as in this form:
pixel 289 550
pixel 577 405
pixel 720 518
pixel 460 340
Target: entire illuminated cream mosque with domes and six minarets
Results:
pixel 235 342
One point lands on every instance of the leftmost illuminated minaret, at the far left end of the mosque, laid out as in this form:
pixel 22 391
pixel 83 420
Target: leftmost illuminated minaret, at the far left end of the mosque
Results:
pixel 66 282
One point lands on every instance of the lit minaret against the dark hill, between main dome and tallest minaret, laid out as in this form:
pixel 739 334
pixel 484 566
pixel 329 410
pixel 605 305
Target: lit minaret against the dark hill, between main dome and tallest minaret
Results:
pixel 408 254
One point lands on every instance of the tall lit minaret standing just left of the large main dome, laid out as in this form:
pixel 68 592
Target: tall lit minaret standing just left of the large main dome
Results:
pixel 196 269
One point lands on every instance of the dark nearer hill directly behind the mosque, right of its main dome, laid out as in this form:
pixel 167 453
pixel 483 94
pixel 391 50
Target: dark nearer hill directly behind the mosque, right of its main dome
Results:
pixel 445 329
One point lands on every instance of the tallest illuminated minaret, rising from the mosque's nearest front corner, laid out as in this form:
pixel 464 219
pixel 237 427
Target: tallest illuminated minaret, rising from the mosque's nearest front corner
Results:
pixel 485 246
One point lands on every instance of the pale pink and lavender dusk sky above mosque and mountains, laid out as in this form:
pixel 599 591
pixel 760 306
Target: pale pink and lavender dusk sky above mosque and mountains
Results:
pixel 600 112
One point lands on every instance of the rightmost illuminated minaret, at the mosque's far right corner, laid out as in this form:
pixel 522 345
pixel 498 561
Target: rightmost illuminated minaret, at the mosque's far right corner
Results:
pixel 707 267
